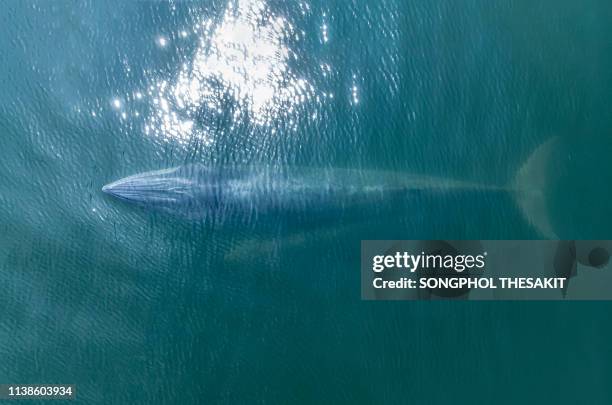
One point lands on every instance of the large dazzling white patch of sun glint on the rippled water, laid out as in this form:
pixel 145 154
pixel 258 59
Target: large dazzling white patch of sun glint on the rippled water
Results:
pixel 239 70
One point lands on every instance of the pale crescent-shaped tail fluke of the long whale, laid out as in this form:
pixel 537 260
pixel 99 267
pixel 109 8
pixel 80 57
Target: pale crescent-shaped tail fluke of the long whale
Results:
pixel 530 185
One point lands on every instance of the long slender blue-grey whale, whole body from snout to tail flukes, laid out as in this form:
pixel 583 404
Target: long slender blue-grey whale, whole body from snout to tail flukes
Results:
pixel 199 191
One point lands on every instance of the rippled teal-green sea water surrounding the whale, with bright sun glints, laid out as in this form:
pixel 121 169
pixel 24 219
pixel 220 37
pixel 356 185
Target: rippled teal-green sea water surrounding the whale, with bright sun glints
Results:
pixel 136 307
